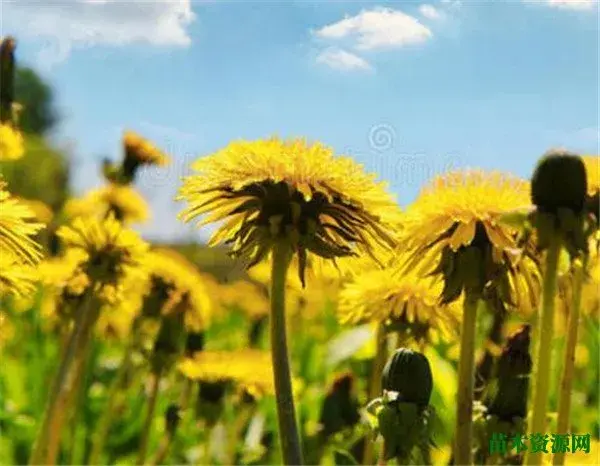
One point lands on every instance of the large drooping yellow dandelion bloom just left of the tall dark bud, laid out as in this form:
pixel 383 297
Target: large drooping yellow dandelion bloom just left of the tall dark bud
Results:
pixel 461 209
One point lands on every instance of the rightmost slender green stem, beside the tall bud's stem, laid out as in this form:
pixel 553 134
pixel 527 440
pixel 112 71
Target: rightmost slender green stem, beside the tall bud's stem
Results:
pixel 566 384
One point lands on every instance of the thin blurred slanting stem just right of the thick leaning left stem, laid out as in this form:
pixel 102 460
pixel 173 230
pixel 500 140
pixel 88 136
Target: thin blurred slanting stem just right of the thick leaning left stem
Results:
pixel 114 394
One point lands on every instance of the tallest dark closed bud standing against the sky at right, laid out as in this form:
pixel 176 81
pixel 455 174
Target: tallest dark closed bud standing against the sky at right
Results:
pixel 559 181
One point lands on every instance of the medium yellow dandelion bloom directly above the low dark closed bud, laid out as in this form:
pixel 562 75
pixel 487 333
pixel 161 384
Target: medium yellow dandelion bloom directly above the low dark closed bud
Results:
pixel 405 301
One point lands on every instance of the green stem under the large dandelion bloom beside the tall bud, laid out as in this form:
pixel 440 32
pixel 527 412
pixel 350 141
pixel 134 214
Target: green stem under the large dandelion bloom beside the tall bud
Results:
pixel 463 454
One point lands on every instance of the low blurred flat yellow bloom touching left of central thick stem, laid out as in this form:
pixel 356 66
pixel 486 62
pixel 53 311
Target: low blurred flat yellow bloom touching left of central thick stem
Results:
pixel 251 369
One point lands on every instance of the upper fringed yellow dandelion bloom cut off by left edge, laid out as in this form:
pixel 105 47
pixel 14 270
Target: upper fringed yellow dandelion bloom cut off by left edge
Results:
pixel 17 229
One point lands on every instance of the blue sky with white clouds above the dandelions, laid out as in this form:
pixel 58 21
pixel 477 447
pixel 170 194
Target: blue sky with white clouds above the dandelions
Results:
pixel 410 89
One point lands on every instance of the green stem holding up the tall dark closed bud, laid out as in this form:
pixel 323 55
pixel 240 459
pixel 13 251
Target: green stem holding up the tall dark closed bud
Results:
pixel 541 378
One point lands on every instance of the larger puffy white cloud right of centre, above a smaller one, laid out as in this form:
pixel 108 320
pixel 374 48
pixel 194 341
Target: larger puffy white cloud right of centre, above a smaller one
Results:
pixel 377 28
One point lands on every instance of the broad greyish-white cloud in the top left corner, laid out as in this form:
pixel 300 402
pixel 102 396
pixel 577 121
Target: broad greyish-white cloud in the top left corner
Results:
pixel 65 25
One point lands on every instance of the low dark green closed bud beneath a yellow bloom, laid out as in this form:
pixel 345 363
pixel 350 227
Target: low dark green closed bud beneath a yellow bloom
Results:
pixel 408 373
